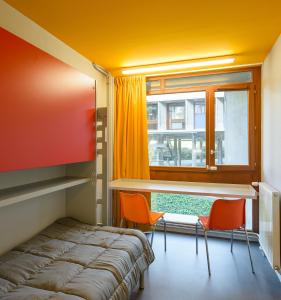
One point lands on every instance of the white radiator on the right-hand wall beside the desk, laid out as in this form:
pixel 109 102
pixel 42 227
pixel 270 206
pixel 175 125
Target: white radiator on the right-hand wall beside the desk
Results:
pixel 269 223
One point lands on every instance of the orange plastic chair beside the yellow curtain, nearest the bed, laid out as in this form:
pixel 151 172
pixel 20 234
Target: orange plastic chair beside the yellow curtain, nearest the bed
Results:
pixel 134 208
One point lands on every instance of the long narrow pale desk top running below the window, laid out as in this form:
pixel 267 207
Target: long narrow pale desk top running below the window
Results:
pixel 182 187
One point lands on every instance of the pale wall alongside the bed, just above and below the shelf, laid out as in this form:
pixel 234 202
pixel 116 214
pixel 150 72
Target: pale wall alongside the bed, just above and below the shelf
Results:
pixel 21 221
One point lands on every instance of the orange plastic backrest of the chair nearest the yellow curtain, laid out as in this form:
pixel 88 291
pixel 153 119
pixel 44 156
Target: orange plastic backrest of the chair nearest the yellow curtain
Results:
pixel 134 208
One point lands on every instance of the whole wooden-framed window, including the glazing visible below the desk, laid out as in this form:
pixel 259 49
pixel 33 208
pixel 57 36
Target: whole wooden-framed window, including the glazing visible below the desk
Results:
pixel 208 129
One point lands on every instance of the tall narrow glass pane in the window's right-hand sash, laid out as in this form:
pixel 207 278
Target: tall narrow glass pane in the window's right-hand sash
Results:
pixel 231 132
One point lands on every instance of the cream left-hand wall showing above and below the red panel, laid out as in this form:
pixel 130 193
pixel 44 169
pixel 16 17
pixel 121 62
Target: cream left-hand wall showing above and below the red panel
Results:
pixel 21 221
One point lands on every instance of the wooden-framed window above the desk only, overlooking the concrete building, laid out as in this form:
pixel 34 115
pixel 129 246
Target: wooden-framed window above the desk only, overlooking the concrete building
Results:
pixel 179 134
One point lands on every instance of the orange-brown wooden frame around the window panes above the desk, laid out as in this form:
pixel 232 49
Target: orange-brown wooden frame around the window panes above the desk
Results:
pixel 253 118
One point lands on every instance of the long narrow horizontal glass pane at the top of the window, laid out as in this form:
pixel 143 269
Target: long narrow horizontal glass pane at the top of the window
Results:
pixel 206 80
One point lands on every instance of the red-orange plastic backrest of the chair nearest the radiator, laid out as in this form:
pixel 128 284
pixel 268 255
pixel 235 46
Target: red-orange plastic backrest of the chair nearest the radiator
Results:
pixel 227 214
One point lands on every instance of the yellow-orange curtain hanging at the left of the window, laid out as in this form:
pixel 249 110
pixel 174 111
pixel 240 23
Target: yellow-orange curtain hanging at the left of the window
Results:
pixel 130 135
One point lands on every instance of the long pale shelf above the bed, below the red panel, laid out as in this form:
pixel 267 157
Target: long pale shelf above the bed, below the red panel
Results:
pixel 21 193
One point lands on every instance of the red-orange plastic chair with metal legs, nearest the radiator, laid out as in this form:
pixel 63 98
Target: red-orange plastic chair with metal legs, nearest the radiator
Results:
pixel 224 215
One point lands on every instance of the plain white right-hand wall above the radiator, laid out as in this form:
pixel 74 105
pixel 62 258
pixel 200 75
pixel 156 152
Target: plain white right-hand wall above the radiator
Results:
pixel 271 117
